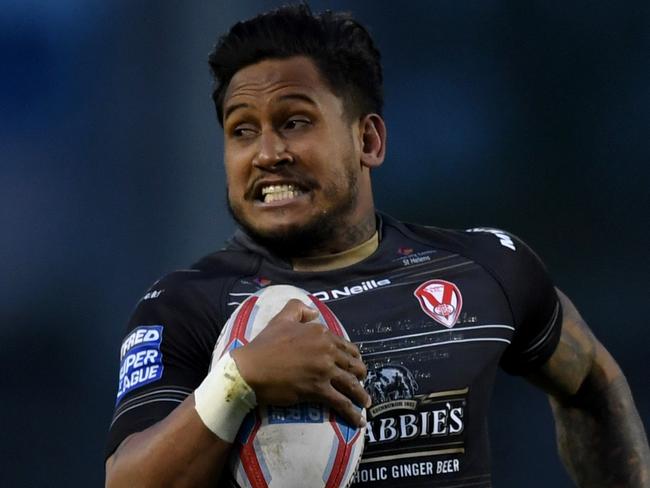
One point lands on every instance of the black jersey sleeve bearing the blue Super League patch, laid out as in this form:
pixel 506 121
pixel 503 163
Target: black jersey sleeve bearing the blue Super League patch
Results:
pixel 164 356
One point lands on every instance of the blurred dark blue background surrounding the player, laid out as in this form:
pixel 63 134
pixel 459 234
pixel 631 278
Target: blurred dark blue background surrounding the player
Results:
pixel 529 116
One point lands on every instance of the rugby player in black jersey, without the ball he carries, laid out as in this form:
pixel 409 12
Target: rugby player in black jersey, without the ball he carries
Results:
pixel 299 97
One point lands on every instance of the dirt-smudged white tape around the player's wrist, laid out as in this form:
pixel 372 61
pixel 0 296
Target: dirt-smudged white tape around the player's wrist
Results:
pixel 224 398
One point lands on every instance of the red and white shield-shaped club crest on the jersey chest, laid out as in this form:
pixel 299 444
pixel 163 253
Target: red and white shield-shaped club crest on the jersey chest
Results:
pixel 441 300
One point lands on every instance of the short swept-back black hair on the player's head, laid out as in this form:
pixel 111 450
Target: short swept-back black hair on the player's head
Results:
pixel 341 48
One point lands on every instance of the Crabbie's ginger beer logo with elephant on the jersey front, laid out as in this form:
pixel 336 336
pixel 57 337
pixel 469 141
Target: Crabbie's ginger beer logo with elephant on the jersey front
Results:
pixel 429 428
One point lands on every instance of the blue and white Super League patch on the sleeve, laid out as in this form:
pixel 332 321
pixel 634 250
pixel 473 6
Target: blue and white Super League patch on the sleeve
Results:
pixel 140 359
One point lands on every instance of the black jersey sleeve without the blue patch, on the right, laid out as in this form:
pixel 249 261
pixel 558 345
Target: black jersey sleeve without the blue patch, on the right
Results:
pixel 532 298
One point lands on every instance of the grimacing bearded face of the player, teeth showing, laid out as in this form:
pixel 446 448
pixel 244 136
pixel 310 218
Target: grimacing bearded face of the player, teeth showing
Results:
pixel 292 156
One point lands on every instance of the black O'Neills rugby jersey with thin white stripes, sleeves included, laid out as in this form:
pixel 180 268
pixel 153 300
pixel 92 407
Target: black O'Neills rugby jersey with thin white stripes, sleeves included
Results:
pixel 433 311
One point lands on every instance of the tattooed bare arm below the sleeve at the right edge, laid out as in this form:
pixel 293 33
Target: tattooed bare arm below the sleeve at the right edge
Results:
pixel 600 435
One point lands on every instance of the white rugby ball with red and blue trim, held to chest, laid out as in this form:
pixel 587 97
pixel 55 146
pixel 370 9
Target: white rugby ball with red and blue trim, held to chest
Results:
pixel 305 445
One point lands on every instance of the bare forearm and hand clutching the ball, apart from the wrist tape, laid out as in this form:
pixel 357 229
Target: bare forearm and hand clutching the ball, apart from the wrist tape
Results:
pixel 290 361
